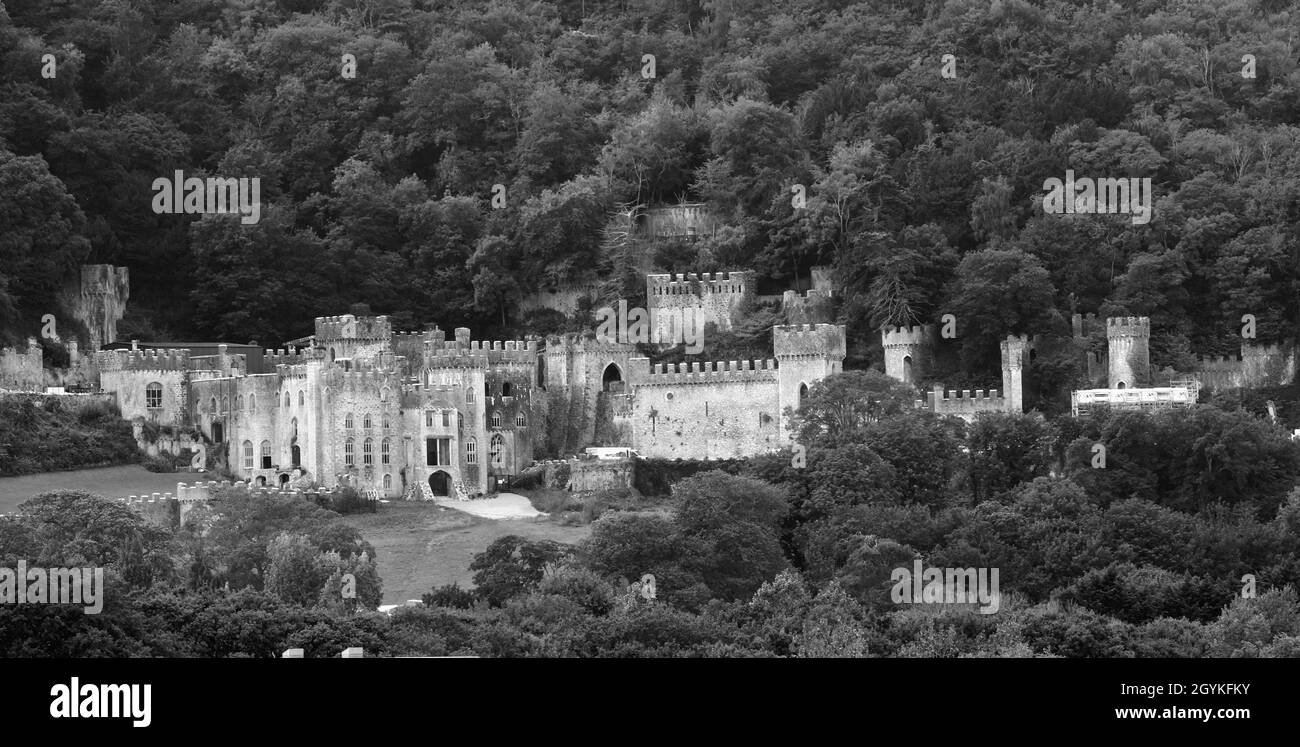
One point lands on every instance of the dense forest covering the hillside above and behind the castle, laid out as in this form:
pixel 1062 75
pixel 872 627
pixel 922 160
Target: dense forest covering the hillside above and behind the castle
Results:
pixel 924 192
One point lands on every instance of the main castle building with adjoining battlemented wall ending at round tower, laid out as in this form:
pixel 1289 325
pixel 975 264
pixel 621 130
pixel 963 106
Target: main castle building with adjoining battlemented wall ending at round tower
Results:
pixel 421 415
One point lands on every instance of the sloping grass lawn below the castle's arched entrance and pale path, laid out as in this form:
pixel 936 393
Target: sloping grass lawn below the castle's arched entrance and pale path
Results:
pixel 423 545
